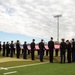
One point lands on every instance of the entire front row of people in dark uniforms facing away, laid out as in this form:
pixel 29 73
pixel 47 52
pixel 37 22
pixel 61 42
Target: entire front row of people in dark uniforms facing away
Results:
pixel 70 47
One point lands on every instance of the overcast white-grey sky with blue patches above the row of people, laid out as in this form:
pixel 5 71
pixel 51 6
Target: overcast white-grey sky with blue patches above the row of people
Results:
pixel 34 18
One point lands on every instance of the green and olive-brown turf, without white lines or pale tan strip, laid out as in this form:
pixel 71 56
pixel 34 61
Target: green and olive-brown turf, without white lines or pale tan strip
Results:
pixel 42 69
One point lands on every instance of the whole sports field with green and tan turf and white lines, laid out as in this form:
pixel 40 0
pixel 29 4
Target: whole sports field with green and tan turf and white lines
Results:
pixel 29 67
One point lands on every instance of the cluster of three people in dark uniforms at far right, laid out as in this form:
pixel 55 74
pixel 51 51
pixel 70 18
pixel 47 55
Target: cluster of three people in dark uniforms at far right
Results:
pixel 70 47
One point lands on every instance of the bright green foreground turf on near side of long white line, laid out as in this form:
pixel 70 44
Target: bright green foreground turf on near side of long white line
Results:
pixel 44 69
